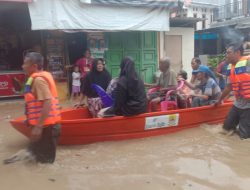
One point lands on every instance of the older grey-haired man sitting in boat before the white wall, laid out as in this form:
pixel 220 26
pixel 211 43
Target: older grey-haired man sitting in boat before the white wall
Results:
pixel 167 81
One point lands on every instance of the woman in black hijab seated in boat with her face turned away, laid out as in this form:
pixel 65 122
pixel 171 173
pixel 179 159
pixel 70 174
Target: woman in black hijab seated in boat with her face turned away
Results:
pixel 130 97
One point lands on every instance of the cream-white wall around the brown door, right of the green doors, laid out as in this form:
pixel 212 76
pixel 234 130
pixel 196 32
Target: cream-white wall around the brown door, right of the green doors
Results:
pixel 187 46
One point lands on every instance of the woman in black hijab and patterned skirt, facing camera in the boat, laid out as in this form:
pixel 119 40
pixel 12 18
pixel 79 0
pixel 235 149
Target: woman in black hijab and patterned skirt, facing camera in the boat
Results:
pixel 100 76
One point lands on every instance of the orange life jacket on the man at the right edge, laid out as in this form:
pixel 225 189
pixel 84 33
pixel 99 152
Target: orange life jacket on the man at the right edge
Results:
pixel 240 78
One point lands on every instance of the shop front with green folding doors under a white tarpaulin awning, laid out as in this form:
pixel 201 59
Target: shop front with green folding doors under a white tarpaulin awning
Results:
pixel 111 29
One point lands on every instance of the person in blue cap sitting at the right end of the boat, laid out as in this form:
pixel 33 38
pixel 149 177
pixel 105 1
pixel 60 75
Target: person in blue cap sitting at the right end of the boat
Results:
pixel 210 90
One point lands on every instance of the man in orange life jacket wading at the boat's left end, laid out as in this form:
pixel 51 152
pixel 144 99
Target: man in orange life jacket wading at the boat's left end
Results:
pixel 42 111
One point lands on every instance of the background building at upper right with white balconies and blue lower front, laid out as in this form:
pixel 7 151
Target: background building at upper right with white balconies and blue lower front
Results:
pixel 231 23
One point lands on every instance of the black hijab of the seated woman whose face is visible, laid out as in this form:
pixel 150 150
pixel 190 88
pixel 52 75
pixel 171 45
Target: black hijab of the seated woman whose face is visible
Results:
pixel 96 77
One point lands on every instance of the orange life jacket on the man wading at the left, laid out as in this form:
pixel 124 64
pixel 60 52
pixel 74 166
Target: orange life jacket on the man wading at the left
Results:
pixel 34 106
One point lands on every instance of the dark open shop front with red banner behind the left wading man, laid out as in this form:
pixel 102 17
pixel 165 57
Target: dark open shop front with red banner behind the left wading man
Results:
pixel 17 39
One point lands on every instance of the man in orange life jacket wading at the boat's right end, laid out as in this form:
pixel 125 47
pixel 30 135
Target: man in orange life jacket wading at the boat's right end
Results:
pixel 238 72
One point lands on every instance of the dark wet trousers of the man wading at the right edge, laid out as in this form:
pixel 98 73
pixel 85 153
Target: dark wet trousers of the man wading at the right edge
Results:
pixel 238 116
